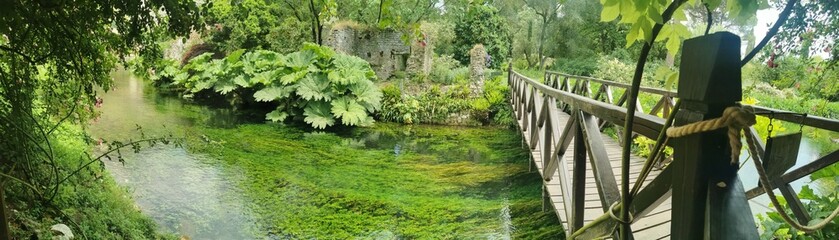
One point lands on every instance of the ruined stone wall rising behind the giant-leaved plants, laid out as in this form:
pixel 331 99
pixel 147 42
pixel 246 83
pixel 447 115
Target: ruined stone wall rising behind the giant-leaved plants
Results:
pixel 384 49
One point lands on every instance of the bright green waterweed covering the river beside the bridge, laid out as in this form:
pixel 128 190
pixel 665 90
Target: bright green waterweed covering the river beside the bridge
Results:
pixel 387 181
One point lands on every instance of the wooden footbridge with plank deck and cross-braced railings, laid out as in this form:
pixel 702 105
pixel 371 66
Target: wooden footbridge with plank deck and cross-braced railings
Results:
pixel 562 119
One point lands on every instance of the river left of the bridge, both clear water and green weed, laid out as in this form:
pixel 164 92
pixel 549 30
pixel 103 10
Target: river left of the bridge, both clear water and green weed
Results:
pixel 236 179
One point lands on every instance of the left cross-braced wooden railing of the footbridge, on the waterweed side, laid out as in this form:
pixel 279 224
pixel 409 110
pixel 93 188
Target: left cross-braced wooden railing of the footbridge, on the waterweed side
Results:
pixel 536 106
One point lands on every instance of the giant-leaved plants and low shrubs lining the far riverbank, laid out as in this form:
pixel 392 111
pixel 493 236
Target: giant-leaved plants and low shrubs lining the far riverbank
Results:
pixel 325 88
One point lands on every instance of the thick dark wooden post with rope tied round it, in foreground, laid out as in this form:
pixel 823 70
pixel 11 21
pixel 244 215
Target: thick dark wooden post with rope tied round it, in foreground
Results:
pixel 708 198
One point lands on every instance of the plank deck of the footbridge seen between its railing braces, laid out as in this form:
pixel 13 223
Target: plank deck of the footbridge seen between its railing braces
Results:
pixel 654 225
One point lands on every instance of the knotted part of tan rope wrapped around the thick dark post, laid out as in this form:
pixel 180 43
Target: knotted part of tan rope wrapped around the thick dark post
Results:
pixel 735 118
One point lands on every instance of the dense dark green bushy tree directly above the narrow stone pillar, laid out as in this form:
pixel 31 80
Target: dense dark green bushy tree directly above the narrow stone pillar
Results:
pixel 481 24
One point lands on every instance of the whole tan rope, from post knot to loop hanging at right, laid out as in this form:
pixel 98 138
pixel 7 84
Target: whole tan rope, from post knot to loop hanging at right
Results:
pixel 736 118
